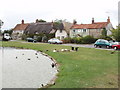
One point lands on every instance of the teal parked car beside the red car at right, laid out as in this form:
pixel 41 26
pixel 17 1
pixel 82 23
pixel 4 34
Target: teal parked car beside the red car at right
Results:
pixel 102 43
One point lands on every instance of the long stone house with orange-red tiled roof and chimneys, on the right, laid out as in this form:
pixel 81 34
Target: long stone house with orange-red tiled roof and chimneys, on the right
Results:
pixel 94 29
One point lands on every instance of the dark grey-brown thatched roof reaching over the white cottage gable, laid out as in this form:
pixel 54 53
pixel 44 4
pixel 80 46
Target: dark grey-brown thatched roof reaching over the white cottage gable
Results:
pixel 42 27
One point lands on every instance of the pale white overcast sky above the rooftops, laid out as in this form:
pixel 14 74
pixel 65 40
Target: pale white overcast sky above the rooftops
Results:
pixel 13 11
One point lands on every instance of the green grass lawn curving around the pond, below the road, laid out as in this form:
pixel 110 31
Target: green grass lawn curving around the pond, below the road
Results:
pixel 87 68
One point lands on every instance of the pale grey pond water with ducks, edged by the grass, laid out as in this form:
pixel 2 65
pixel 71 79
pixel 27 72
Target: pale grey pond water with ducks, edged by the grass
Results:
pixel 22 68
